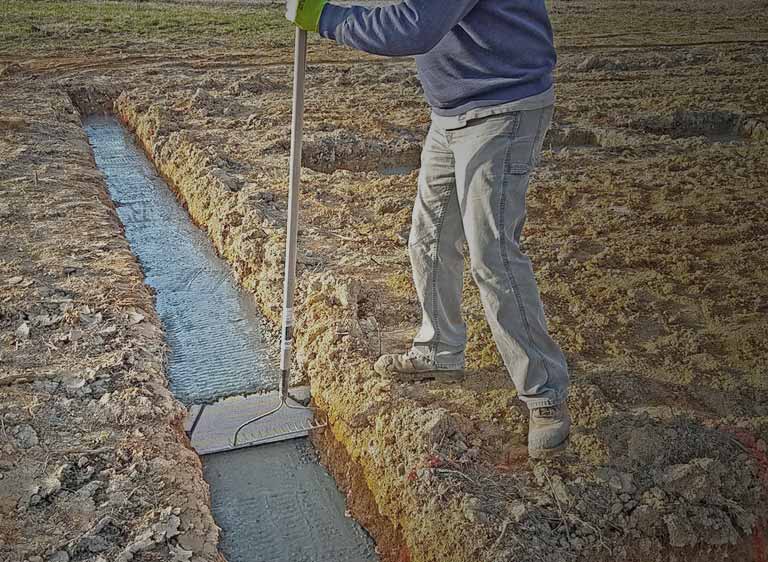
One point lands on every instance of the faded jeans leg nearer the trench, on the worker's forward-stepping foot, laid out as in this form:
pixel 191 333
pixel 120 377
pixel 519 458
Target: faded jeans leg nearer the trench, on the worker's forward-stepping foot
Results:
pixel 435 248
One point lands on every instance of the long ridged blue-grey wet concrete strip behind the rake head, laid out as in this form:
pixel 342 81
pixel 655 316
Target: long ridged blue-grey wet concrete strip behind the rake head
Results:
pixel 213 329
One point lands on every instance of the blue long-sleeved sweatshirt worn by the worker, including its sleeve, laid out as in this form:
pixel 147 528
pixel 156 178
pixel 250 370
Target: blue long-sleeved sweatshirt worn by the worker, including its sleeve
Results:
pixel 469 53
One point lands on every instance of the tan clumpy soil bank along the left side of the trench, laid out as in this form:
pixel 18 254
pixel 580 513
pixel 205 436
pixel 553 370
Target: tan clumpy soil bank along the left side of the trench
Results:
pixel 93 461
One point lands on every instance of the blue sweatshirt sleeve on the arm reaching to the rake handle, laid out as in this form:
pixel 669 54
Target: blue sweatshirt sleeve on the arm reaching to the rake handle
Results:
pixel 412 27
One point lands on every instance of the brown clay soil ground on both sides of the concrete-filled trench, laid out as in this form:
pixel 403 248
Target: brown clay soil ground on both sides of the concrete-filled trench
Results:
pixel 646 226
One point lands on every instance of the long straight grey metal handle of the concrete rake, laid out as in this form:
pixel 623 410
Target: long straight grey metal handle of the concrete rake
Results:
pixel 294 187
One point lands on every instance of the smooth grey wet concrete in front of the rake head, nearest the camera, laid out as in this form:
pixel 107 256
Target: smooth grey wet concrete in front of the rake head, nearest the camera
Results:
pixel 275 503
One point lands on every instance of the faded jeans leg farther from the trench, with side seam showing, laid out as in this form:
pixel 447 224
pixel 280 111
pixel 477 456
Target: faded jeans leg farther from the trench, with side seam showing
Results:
pixel 494 157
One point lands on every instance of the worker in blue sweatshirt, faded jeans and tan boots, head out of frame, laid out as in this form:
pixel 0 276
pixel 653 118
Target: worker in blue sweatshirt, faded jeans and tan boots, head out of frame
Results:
pixel 486 70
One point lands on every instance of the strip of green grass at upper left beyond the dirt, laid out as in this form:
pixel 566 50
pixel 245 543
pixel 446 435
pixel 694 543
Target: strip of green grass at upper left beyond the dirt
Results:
pixel 32 26
